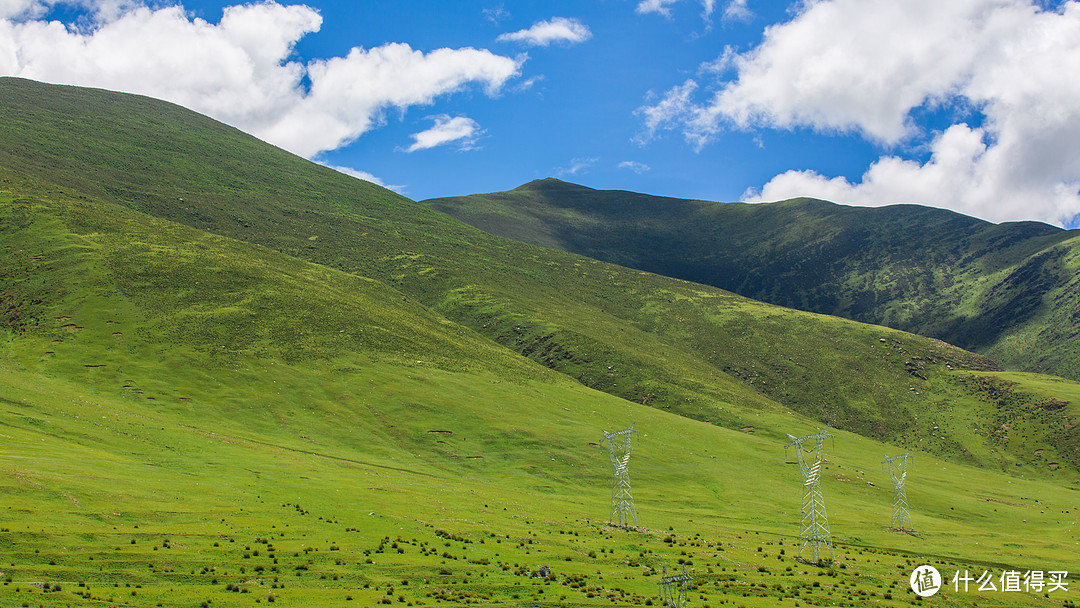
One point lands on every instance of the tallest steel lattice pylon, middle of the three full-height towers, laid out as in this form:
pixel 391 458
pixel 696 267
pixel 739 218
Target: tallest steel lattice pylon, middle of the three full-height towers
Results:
pixel 816 534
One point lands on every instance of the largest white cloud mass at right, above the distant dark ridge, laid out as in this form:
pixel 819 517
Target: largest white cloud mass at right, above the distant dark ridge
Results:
pixel 866 66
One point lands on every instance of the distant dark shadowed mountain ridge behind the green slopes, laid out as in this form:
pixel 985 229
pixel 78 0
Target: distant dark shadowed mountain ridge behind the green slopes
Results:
pixel 1009 291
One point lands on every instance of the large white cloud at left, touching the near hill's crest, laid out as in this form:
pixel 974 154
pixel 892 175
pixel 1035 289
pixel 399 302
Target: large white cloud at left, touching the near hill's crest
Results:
pixel 241 71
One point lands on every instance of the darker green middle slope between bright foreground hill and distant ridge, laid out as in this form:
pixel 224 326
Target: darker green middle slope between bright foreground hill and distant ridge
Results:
pixel 685 348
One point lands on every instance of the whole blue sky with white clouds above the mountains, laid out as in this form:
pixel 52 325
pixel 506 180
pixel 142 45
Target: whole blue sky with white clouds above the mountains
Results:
pixel 968 105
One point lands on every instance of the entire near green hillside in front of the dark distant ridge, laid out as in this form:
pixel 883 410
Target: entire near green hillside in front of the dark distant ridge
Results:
pixel 231 377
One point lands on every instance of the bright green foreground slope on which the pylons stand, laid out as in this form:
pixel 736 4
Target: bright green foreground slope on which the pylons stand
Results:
pixel 145 465
